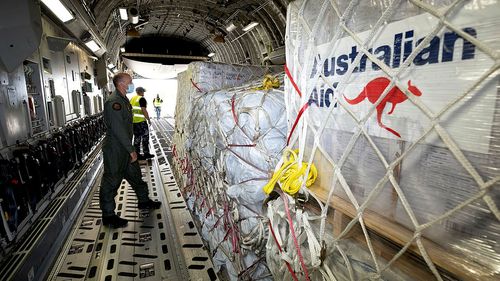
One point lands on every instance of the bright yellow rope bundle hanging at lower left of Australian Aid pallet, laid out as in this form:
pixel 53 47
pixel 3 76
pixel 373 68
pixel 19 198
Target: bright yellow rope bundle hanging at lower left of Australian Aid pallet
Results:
pixel 290 175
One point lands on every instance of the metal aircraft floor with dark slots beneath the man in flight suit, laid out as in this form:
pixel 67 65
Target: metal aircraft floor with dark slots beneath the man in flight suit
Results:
pixel 161 244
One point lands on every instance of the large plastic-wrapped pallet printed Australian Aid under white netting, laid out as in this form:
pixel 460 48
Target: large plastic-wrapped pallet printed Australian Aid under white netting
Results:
pixel 400 113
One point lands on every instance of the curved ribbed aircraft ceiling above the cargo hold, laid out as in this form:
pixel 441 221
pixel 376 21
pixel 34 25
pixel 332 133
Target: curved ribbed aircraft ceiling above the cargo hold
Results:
pixel 186 28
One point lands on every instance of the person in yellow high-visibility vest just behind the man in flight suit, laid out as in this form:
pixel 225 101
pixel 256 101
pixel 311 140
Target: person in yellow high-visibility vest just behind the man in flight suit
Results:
pixel 141 123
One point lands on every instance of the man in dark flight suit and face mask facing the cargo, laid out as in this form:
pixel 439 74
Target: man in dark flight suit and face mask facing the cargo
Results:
pixel 120 158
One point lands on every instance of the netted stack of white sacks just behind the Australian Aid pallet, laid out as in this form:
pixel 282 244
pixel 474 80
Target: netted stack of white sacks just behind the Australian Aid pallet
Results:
pixel 240 135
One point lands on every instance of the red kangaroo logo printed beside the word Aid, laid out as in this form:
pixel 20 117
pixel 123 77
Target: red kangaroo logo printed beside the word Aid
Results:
pixel 374 89
